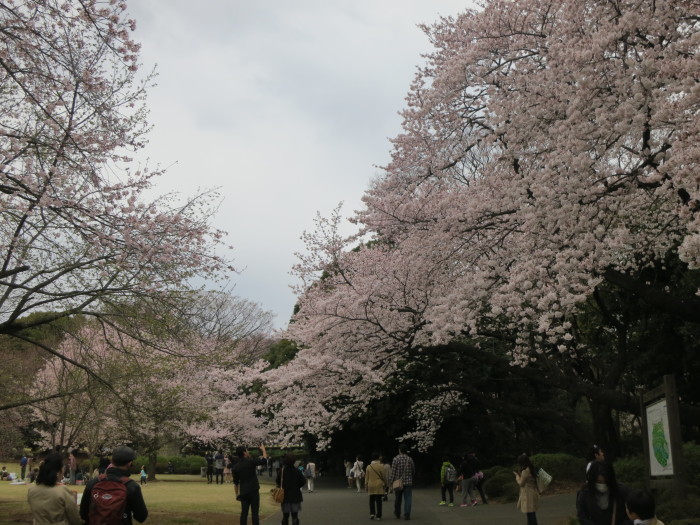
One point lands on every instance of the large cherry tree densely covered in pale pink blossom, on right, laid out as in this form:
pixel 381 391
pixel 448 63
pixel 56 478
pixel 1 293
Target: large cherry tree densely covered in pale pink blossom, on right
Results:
pixel 548 149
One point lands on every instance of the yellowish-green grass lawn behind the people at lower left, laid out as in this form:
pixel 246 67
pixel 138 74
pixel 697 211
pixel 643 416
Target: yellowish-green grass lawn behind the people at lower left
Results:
pixel 173 499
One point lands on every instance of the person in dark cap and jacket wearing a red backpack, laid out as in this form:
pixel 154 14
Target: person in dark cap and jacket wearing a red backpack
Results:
pixel 113 498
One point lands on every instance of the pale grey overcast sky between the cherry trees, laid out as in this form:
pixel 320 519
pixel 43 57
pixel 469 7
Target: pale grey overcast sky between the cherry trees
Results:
pixel 286 106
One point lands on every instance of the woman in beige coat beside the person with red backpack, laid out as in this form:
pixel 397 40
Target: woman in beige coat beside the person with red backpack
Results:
pixel 49 501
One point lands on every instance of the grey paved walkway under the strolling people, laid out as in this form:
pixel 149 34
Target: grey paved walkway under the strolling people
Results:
pixel 334 504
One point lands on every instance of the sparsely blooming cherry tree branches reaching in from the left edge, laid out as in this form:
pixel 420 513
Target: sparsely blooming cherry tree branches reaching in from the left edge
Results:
pixel 80 229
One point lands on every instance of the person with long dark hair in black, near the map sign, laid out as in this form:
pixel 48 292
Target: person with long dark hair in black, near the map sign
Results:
pixel 601 501
